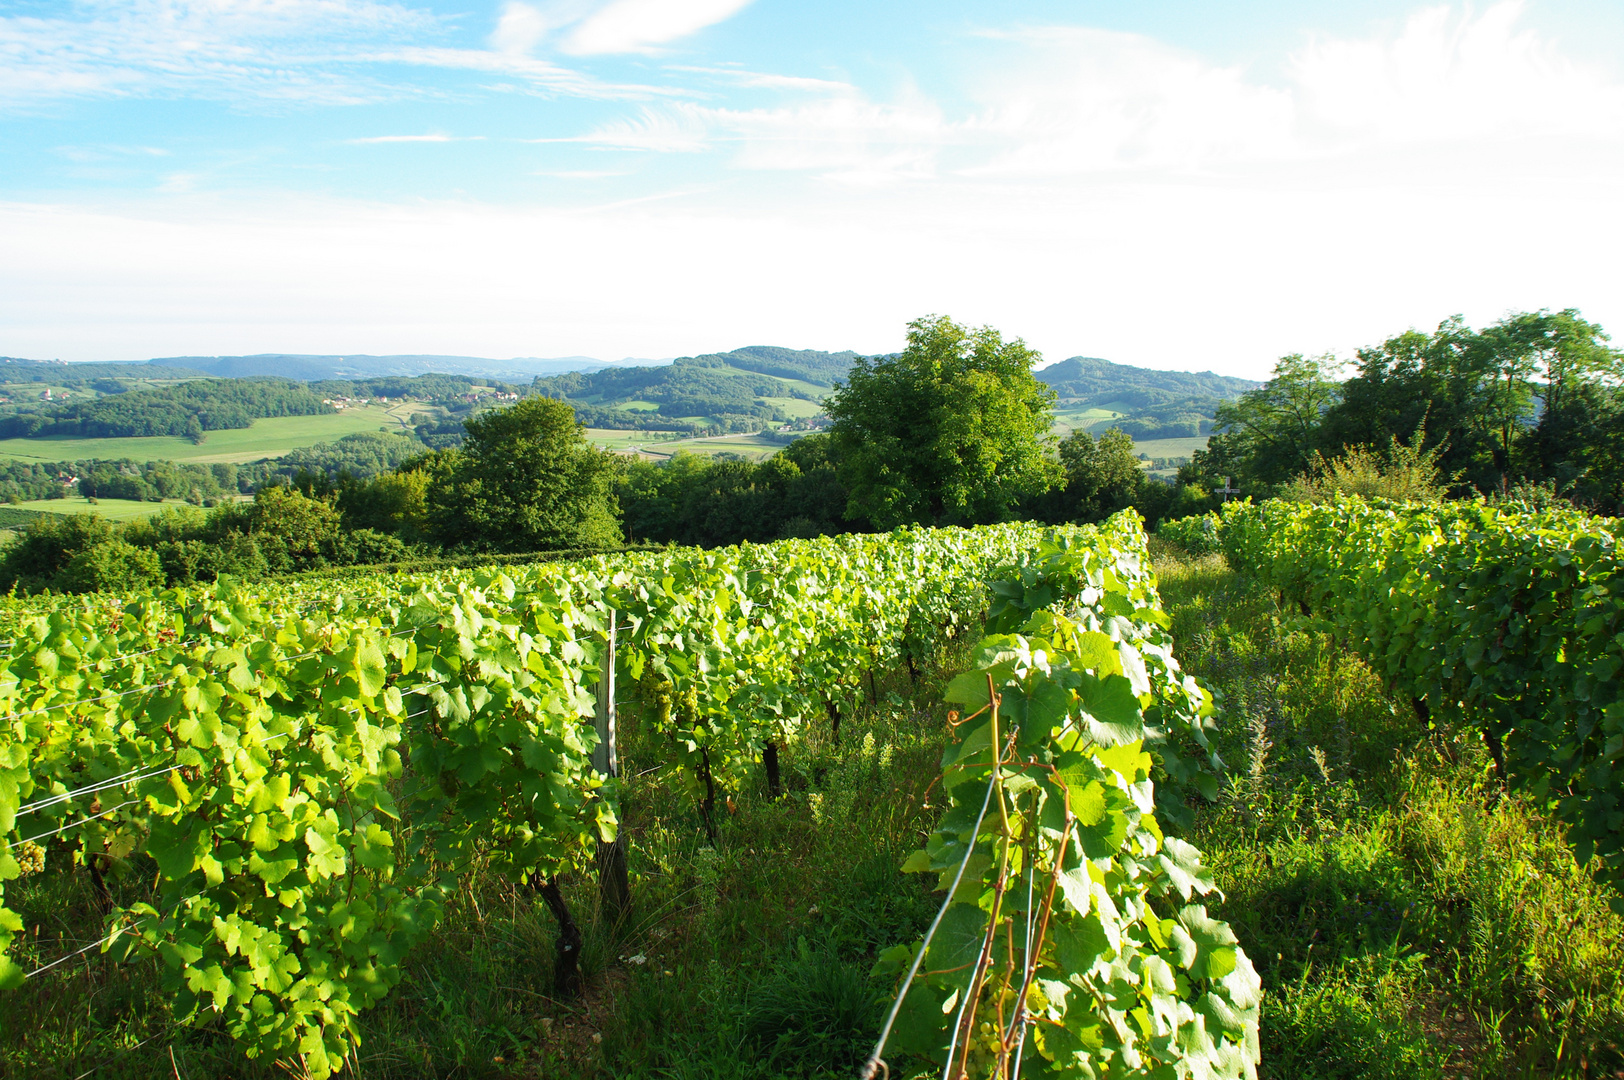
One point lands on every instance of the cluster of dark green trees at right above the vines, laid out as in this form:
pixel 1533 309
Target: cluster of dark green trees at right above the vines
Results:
pixel 1529 402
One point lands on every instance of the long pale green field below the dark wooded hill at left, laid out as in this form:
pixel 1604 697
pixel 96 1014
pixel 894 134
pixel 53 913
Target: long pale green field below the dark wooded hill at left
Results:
pixel 267 439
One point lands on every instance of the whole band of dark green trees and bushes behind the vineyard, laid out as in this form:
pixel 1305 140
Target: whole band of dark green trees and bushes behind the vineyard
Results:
pixel 951 431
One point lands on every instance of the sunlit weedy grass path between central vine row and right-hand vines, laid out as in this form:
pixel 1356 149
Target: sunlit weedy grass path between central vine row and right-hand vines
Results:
pixel 1409 917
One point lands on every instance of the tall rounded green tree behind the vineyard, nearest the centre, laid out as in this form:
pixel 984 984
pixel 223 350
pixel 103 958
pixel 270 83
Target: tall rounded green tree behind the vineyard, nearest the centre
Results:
pixel 954 431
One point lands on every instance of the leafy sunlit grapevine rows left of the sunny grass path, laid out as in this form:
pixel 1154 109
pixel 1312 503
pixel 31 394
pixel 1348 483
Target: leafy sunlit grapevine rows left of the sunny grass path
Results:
pixel 306 775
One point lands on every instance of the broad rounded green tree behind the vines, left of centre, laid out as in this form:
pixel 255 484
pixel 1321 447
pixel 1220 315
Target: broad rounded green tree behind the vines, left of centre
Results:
pixel 525 480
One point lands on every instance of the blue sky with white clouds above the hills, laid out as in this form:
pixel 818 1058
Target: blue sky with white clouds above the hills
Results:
pixel 1199 186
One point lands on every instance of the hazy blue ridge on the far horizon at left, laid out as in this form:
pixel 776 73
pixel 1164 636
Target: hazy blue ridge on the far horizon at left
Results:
pixel 314 368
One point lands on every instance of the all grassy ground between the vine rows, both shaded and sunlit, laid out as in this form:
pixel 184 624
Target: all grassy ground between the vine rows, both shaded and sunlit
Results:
pixel 1410 918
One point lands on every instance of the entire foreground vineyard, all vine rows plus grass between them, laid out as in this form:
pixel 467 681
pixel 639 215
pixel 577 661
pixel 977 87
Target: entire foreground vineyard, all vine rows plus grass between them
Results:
pixel 938 800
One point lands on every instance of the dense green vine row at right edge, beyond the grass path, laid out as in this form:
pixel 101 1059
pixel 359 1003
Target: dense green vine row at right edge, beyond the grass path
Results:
pixel 1508 620
